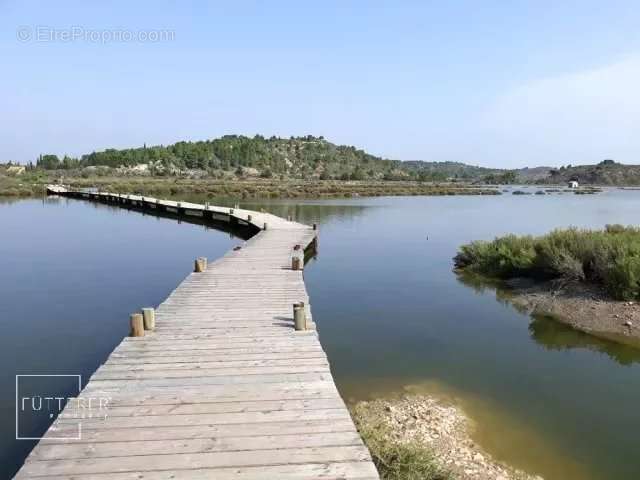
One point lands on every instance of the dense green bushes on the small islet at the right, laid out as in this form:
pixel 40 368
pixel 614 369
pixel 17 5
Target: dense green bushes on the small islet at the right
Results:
pixel 610 258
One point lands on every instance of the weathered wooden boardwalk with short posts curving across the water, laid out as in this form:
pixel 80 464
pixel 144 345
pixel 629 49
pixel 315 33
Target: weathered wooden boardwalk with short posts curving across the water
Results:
pixel 224 388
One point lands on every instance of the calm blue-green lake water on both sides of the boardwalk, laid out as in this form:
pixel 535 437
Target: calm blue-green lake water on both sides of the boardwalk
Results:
pixel 391 314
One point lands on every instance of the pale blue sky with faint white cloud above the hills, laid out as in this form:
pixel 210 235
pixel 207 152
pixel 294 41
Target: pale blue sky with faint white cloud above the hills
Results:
pixel 492 83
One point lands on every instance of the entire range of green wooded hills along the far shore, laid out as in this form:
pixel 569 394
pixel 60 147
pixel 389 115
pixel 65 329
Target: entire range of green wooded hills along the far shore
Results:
pixel 233 157
